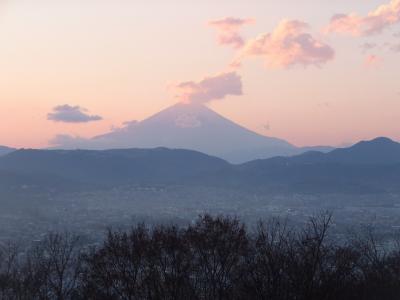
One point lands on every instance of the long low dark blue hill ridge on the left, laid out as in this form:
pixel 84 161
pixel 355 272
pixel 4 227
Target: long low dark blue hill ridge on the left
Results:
pixel 112 167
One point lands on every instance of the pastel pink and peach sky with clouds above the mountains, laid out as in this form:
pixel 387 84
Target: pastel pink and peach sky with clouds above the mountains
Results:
pixel 312 72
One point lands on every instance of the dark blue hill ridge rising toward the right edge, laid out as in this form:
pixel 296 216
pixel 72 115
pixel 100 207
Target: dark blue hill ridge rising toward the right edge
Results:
pixel 369 166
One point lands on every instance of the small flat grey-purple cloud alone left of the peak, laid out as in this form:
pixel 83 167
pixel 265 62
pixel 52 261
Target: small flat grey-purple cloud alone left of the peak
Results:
pixel 71 114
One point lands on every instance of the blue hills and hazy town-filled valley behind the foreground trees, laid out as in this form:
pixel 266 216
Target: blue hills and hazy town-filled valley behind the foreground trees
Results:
pixel 88 191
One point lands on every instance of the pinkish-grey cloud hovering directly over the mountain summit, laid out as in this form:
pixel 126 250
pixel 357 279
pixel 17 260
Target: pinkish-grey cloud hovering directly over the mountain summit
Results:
pixel 210 88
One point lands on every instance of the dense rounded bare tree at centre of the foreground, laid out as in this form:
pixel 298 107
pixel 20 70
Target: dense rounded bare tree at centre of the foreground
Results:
pixel 220 246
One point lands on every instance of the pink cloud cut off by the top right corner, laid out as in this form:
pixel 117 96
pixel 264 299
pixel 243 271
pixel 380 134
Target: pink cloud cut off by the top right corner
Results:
pixel 375 22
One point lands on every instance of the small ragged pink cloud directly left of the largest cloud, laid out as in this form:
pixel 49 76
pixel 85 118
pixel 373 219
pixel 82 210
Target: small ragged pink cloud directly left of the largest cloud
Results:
pixel 228 31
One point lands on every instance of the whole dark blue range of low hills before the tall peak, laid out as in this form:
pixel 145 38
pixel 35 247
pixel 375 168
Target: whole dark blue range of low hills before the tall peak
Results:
pixel 367 167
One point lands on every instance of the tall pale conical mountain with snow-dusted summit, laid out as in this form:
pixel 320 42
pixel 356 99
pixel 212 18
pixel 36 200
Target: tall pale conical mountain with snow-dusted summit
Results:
pixel 194 127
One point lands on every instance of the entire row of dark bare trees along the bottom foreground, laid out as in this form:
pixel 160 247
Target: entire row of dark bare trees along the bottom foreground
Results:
pixel 215 258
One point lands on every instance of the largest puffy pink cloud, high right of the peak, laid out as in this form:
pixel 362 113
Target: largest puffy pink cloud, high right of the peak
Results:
pixel 288 45
